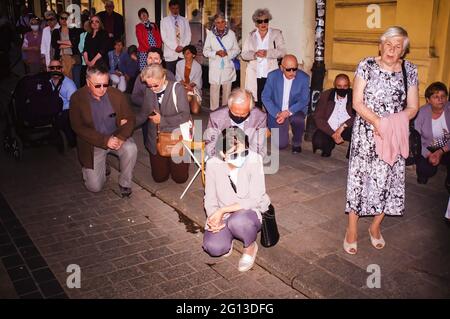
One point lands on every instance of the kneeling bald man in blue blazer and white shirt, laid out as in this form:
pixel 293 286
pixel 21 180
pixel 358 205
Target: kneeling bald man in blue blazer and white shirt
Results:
pixel 286 97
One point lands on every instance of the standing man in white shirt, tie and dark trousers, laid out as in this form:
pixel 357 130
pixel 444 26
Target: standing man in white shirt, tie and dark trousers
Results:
pixel 176 34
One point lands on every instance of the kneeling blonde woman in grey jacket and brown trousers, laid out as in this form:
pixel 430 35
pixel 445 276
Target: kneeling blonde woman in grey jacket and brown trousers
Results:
pixel 164 115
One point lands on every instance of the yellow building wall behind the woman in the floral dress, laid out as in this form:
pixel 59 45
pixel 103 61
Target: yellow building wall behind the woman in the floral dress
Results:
pixel 349 38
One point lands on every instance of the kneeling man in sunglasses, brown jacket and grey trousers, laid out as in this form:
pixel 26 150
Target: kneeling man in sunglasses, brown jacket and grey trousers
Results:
pixel 103 121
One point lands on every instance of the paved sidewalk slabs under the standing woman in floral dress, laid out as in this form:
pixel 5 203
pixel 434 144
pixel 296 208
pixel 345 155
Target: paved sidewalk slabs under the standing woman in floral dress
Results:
pixel 308 193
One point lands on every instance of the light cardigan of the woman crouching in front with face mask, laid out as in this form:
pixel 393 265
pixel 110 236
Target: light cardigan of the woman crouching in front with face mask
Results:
pixel 251 188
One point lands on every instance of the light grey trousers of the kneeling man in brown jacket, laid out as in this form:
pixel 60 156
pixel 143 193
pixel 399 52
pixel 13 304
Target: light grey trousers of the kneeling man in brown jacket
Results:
pixel 95 178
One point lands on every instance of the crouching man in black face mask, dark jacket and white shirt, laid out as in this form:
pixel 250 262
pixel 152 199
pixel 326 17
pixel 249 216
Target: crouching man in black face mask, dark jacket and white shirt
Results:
pixel 334 117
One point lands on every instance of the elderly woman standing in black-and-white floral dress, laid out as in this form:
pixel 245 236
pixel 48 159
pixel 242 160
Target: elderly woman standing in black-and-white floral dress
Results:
pixel 374 188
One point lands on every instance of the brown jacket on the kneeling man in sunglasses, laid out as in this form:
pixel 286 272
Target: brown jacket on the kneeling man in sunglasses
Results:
pixel 83 124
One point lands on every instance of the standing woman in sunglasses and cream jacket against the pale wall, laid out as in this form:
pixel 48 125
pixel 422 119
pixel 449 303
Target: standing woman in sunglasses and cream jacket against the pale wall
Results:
pixel 262 49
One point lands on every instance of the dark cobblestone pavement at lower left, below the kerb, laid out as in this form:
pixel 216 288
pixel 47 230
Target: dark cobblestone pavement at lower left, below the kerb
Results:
pixel 126 248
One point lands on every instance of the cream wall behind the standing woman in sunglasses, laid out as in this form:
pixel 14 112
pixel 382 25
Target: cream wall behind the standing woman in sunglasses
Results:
pixel 296 19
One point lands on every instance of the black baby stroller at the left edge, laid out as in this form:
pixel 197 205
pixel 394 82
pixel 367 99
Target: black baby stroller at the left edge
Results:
pixel 31 116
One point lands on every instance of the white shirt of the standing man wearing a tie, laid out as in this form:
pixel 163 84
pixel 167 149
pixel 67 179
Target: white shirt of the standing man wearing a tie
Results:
pixel 168 35
